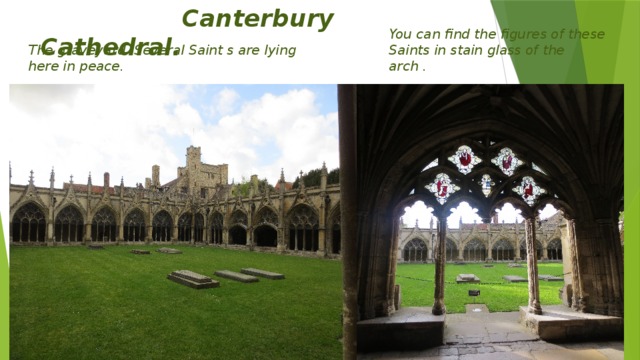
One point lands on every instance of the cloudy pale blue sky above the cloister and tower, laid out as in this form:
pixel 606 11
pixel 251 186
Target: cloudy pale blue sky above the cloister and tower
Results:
pixel 125 129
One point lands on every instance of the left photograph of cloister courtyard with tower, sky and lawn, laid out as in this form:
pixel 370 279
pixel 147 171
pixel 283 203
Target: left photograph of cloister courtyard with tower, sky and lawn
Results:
pixel 118 189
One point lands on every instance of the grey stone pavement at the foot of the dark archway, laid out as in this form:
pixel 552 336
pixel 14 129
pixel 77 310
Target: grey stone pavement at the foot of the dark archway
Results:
pixel 479 334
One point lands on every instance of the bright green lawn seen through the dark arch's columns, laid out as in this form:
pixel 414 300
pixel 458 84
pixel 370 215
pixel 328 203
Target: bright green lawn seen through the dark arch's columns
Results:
pixel 417 286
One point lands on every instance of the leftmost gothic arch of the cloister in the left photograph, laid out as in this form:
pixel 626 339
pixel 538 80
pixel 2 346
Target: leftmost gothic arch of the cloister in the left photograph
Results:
pixel 29 223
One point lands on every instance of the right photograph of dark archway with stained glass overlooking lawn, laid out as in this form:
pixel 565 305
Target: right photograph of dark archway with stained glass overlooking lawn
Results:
pixel 458 201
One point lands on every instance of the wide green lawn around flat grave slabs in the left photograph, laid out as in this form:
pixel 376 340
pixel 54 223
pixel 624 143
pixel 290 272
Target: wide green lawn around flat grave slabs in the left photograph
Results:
pixel 75 303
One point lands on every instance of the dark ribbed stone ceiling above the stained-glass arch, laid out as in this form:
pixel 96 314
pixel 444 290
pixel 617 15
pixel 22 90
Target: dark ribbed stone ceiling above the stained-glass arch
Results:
pixel 574 132
